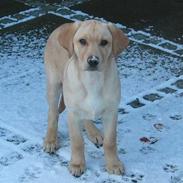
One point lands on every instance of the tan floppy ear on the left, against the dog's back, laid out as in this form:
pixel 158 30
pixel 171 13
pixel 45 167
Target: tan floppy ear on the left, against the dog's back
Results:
pixel 66 34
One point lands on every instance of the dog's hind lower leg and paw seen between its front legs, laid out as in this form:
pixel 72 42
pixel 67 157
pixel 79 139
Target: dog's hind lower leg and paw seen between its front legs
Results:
pixel 93 133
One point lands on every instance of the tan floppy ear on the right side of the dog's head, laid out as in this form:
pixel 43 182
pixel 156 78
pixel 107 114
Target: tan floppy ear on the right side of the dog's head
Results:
pixel 119 40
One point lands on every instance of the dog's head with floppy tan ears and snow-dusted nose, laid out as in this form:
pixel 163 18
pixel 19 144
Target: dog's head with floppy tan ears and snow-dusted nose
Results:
pixel 92 42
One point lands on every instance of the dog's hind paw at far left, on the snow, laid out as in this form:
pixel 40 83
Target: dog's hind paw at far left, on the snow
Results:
pixel 50 146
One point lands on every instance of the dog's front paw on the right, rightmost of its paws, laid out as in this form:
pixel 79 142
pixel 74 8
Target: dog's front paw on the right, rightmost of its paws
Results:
pixel 116 168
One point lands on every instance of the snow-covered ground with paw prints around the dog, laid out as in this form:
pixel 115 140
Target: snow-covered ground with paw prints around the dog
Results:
pixel 149 137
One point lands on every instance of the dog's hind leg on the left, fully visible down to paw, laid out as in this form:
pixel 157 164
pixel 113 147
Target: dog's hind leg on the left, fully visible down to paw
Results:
pixel 53 93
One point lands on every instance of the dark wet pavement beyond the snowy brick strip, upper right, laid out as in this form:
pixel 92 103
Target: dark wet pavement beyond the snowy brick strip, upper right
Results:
pixel 162 18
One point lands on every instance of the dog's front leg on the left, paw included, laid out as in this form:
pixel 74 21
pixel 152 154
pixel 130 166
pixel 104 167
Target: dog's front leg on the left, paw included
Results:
pixel 77 163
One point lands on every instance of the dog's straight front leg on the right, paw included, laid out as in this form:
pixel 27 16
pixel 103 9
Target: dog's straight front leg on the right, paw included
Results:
pixel 113 164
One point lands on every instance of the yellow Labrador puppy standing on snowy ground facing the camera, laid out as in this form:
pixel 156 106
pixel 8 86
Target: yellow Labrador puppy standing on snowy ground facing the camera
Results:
pixel 82 75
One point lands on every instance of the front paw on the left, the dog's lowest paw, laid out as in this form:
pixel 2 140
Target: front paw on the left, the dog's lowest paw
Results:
pixel 76 169
